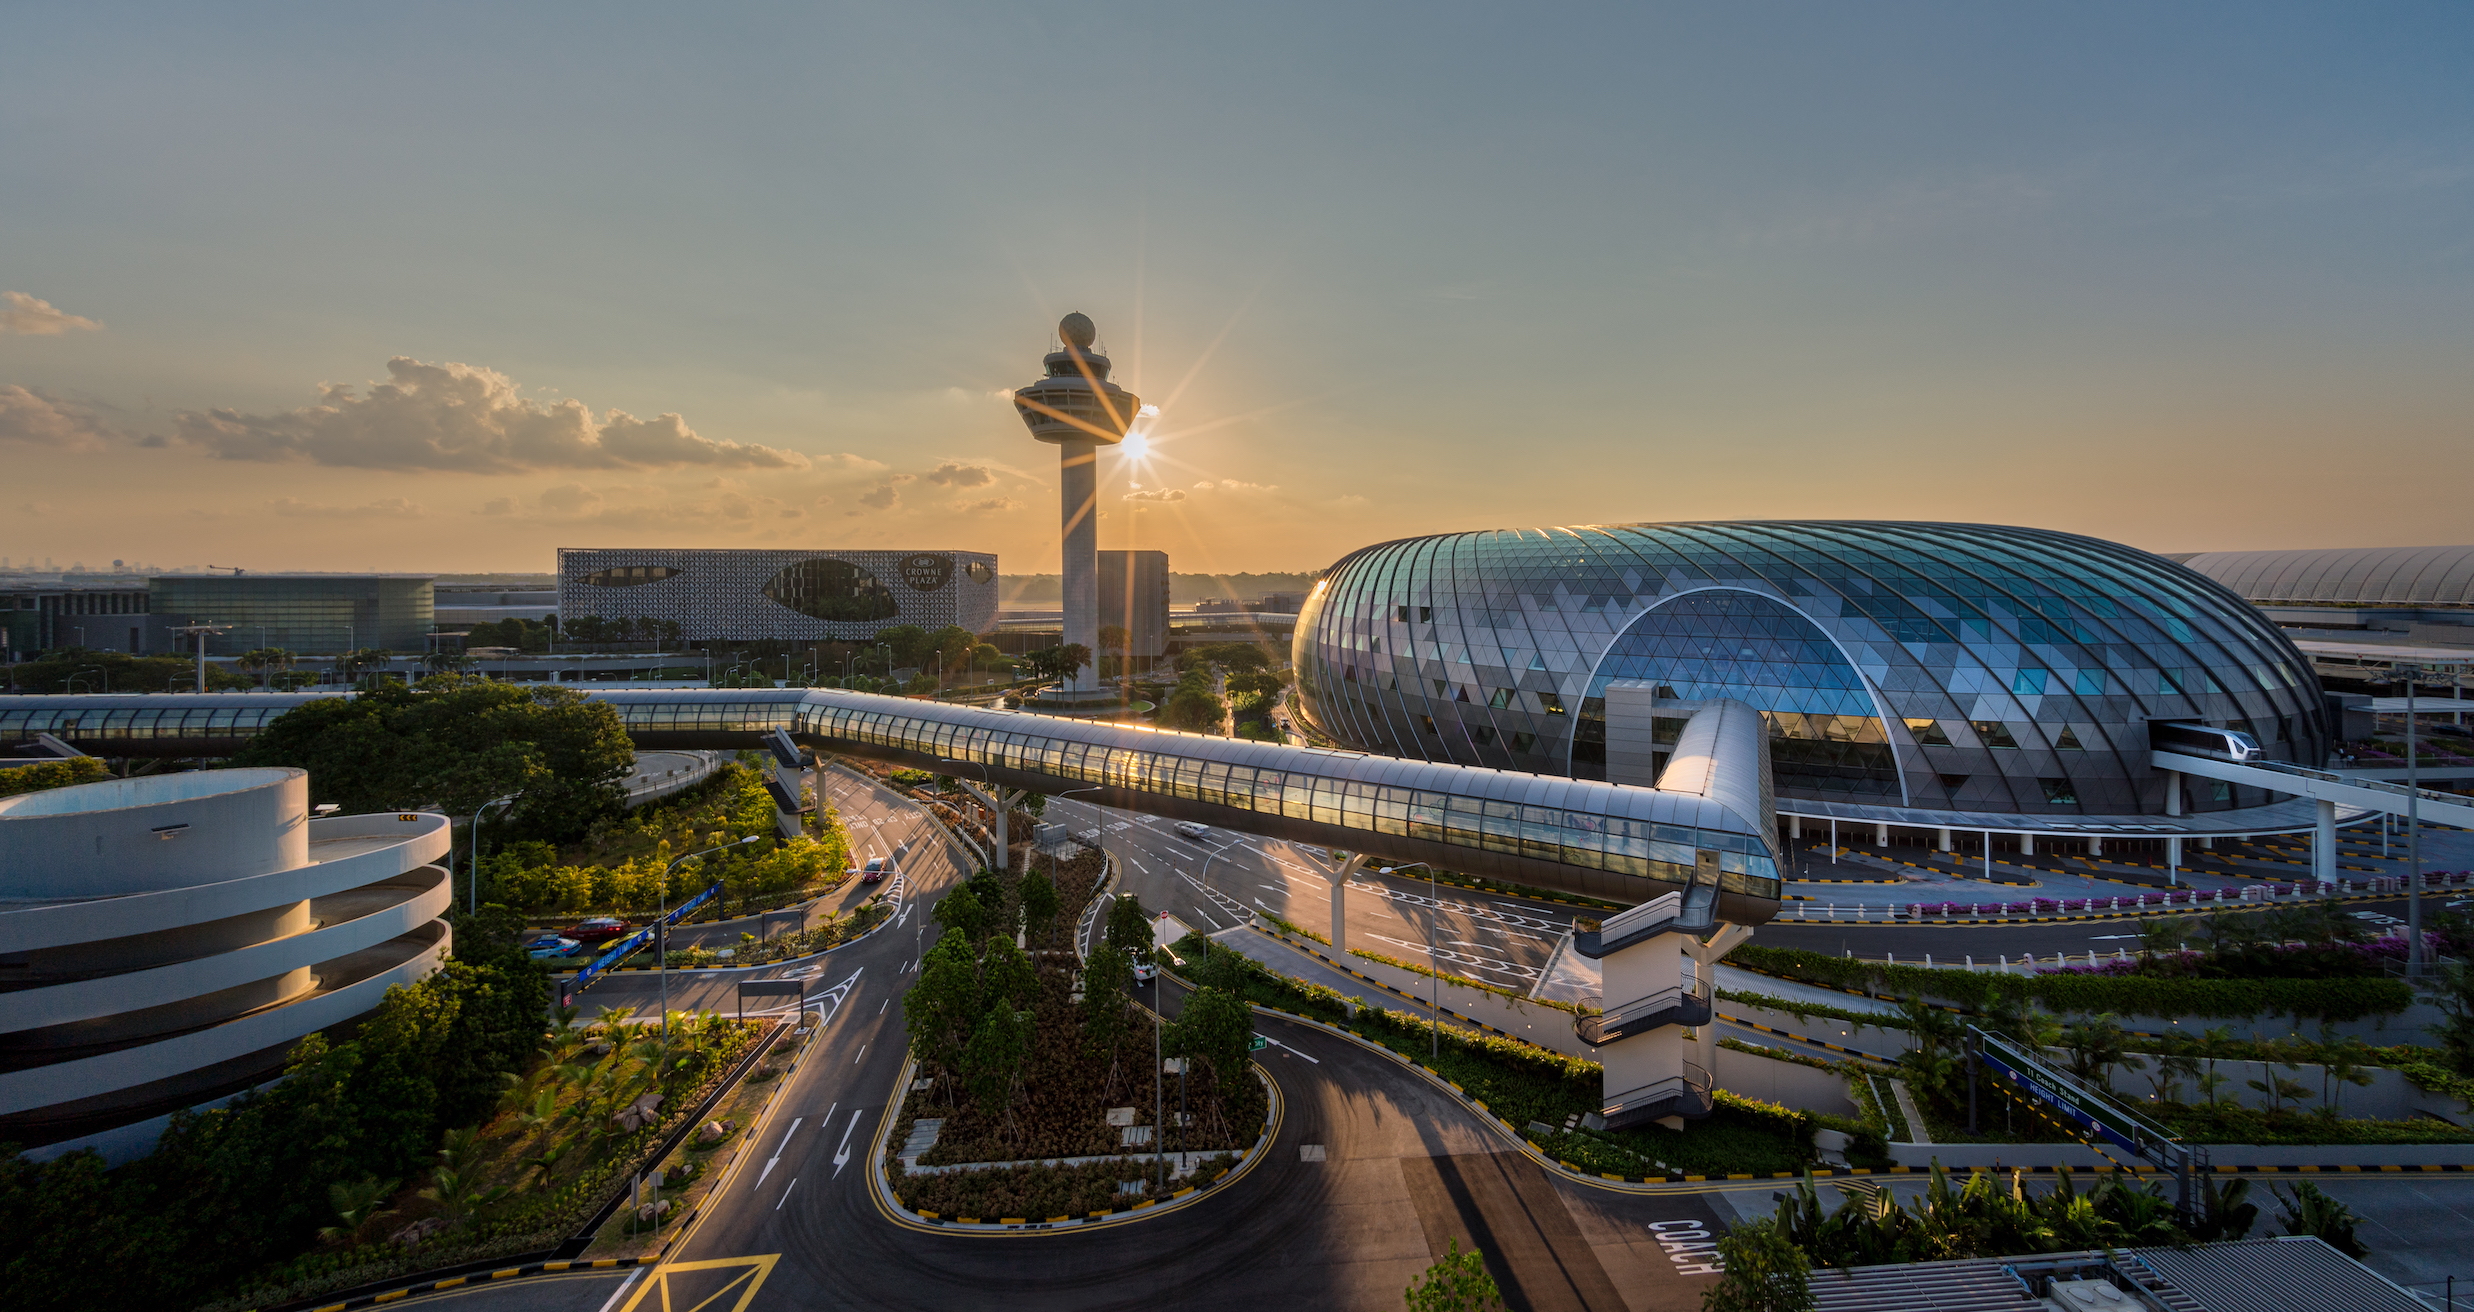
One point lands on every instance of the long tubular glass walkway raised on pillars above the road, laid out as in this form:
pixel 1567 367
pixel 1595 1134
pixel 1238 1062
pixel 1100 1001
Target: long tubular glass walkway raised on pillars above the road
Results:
pixel 1572 835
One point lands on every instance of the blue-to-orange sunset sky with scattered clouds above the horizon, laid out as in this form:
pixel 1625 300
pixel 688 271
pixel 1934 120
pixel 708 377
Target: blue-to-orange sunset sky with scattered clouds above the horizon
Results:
pixel 449 288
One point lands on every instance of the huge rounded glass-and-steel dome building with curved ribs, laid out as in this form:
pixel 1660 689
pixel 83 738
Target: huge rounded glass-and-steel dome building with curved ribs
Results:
pixel 1899 665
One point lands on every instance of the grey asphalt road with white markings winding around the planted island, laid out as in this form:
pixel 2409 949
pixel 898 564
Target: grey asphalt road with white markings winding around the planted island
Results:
pixel 1404 1167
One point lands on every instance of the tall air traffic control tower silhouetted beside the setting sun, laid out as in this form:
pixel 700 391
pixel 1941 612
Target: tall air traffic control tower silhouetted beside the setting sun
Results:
pixel 1077 410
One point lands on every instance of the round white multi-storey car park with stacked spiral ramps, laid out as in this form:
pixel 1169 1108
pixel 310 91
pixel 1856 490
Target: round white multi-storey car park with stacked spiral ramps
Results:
pixel 167 939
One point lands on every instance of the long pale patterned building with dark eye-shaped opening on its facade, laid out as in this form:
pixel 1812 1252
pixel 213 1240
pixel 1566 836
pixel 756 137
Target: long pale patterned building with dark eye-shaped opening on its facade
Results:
pixel 768 595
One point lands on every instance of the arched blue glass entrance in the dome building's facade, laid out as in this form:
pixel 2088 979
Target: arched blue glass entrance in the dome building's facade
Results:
pixel 1827 729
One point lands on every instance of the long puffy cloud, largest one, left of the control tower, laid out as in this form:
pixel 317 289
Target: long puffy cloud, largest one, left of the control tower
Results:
pixel 469 420
